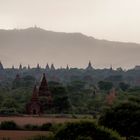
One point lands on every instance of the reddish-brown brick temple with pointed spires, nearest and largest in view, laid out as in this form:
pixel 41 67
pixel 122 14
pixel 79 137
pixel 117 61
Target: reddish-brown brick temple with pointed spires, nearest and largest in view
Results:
pixel 35 106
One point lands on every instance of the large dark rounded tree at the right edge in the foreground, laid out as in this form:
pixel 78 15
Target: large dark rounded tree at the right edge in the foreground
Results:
pixel 124 118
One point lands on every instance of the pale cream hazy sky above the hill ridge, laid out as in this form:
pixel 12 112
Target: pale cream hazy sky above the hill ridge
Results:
pixel 105 19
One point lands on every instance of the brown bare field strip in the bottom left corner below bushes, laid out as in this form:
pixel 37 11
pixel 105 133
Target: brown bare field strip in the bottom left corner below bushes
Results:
pixel 20 135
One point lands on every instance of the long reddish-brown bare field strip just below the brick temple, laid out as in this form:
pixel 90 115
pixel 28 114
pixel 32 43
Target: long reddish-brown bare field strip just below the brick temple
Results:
pixel 21 121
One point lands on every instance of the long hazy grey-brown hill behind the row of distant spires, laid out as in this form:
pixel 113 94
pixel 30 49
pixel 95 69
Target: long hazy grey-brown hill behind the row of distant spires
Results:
pixel 36 45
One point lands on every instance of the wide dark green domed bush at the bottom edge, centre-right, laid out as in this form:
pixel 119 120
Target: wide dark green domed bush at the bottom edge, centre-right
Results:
pixel 85 129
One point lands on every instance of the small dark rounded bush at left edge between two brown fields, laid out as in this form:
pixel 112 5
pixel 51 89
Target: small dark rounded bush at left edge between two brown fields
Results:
pixel 8 125
